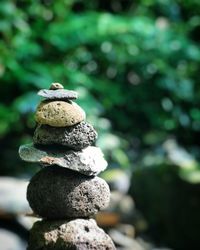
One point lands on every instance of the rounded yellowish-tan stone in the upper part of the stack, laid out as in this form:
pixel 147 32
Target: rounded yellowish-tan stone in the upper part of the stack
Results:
pixel 59 113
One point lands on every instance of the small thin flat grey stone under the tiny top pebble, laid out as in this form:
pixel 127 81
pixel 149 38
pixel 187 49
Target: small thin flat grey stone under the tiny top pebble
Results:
pixel 58 94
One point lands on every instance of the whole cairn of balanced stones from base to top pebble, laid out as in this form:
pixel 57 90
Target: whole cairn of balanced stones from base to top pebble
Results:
pixel 66 192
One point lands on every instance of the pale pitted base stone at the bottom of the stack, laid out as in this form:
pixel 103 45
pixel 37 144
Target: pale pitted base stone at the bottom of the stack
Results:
pixel 77 234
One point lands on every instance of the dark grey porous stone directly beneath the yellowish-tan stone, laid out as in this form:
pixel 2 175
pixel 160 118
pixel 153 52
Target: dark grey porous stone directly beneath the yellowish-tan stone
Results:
pixel 76 137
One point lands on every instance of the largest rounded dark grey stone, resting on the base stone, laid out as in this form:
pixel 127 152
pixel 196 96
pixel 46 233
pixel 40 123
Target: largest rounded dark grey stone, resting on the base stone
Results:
pixel 59 193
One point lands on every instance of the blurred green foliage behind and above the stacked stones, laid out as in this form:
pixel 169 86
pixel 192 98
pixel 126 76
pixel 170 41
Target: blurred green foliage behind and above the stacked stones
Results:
pixel 134 64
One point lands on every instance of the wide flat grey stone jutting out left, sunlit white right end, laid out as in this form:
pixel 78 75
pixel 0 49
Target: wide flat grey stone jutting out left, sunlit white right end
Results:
pixel 88 161
